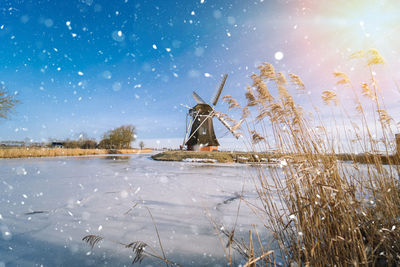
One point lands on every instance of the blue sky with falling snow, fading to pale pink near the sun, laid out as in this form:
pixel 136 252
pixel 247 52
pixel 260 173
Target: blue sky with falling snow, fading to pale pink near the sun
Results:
pixel 92 65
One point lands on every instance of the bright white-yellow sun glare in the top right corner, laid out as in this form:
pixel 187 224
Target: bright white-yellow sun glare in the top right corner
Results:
pixel 355 25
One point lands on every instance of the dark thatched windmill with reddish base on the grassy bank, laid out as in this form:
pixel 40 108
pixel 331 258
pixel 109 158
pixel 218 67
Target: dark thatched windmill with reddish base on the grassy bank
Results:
pixel 200 133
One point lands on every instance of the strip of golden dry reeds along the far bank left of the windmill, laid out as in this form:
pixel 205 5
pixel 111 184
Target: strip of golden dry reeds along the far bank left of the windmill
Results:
pixel 29 152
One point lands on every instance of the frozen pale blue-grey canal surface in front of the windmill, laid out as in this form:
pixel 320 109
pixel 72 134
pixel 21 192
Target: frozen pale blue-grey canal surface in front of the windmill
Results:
pixel 47 205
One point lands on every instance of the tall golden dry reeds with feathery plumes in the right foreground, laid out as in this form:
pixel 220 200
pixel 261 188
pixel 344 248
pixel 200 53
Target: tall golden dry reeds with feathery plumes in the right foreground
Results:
pixel 323 211
